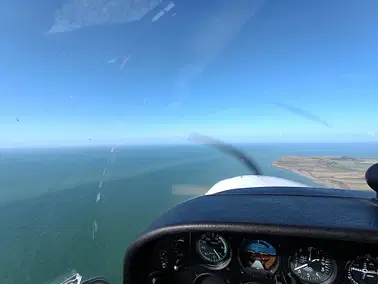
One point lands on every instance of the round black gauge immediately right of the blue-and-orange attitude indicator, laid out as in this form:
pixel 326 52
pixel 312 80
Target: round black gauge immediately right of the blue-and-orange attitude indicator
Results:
pixel 312 265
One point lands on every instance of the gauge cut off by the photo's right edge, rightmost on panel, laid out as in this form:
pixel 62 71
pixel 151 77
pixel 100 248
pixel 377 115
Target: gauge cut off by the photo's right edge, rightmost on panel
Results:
pixel 363 270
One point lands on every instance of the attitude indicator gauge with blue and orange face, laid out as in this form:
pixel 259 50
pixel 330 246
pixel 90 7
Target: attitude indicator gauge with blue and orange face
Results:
pixel 258 256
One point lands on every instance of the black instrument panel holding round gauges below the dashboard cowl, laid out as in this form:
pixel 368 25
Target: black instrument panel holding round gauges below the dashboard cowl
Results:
pixel 238 258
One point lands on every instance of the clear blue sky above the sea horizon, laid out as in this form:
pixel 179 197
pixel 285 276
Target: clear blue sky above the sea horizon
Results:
pixel 239 70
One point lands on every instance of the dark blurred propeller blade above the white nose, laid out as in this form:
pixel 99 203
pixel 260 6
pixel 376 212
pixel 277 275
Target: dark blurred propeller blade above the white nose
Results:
pixel 225 148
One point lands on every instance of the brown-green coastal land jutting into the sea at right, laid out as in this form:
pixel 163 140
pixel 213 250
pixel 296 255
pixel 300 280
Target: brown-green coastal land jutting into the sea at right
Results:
pixel 331 171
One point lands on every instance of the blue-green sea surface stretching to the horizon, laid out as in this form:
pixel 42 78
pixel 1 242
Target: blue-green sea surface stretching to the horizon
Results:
pixel 49 200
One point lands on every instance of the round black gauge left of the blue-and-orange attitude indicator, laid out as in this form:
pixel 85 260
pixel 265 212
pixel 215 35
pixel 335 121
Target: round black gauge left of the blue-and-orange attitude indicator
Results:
pixel 213 248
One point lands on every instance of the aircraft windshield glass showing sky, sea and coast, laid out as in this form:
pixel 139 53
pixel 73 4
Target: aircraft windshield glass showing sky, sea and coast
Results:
pixel 98 97
